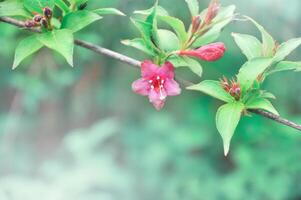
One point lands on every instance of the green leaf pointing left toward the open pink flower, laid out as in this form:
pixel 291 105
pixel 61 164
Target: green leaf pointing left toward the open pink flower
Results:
pixel 214 89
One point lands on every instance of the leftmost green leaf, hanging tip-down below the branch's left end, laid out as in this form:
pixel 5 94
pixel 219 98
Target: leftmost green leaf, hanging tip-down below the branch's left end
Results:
pixel 25 48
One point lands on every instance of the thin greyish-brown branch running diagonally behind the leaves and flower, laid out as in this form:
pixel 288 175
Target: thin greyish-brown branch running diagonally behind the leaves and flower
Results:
pixel 135 63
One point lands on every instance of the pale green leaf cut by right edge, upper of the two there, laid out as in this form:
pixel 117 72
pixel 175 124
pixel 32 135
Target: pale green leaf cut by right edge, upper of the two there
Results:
pixel 286 48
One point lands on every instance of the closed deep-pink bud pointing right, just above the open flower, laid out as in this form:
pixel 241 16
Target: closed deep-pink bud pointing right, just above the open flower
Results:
pixel 210 52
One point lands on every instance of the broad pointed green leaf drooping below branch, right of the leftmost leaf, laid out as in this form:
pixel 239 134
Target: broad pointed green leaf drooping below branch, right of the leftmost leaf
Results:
pixel 60 41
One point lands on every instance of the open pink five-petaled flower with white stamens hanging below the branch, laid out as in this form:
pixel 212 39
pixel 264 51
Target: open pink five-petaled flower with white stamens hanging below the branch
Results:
pixel 157 83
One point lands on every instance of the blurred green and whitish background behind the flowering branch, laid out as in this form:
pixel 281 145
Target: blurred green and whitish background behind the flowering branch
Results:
pixel 81 134
